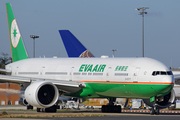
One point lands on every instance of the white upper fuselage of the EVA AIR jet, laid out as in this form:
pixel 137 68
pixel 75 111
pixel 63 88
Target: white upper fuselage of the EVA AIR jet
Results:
pixel 83 69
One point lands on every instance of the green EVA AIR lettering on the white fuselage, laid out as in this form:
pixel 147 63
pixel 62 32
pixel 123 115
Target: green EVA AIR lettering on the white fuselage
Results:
pixel 92 68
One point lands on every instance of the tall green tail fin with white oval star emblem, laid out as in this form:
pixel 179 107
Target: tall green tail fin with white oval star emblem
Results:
pixel 18 51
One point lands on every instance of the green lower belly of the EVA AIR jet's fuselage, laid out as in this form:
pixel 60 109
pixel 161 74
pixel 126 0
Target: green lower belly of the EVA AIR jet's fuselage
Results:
pixel 107 90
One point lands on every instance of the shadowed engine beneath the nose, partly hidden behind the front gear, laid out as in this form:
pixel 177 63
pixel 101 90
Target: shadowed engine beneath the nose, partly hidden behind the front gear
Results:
pixel 162 102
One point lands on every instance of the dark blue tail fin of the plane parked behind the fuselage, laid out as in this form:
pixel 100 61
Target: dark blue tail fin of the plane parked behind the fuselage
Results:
pixel 73 46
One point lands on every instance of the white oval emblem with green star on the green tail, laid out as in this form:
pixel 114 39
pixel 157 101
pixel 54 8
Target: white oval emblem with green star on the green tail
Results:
pixel 15 34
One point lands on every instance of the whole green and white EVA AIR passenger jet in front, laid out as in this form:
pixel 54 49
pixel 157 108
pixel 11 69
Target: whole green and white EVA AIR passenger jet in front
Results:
pixel 45 79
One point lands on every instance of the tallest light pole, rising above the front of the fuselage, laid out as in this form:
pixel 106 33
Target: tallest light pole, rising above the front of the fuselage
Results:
pixel 142 12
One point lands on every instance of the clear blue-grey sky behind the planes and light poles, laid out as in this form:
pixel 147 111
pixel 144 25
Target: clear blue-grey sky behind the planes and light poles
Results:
pixel 101 25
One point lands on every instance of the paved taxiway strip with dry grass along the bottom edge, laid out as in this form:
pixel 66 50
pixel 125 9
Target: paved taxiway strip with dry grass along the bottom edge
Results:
pixel 88 115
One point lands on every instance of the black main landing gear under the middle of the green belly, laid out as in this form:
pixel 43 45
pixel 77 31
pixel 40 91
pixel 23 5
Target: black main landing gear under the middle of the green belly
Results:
pixel 111 108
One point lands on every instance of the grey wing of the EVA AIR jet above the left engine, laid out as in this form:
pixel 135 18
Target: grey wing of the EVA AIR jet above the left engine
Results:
pixel 65 86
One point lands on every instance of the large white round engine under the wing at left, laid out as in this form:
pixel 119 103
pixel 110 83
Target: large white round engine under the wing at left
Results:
pixel 41 94
